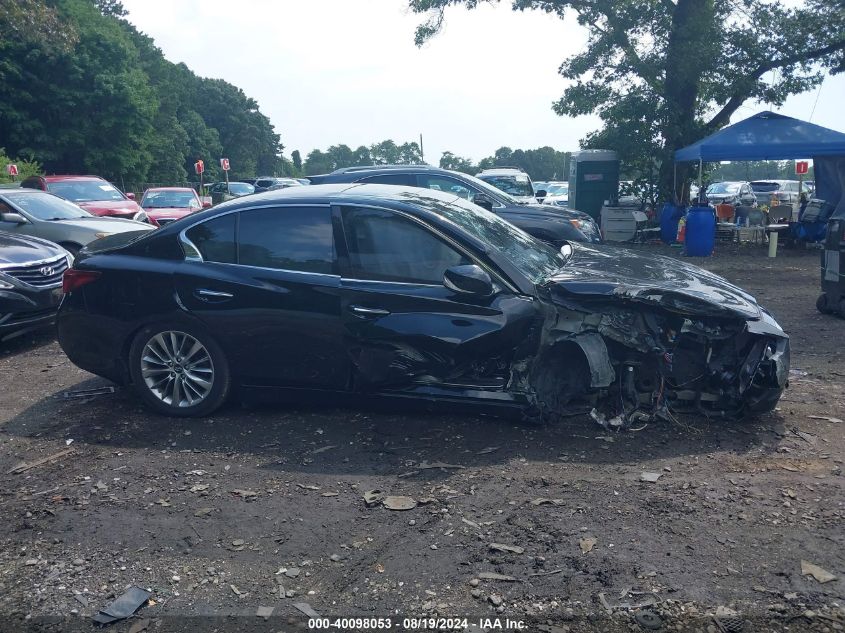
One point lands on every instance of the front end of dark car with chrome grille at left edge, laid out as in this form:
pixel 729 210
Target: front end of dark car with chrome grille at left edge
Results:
pixel 27 306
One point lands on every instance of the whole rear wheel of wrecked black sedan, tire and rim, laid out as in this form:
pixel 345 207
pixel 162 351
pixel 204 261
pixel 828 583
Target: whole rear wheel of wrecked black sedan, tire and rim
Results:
pixel 179 371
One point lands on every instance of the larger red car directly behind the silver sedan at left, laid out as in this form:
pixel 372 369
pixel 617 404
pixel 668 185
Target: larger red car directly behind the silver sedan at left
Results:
pixel 92 193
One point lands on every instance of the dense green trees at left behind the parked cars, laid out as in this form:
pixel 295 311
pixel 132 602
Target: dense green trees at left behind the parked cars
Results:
pixel 108 102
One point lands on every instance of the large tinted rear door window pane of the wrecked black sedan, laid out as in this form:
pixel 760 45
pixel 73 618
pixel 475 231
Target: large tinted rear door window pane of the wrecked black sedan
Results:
pixel 287 238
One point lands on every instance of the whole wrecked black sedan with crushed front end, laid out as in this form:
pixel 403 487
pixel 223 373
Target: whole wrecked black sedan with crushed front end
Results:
pixel 388 291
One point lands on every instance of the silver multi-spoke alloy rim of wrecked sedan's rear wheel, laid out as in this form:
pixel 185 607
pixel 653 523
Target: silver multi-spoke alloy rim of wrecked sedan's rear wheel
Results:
pixel 177 369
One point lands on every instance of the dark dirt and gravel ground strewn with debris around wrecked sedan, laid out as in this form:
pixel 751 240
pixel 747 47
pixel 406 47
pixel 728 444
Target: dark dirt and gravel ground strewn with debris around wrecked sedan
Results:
pixel 262 506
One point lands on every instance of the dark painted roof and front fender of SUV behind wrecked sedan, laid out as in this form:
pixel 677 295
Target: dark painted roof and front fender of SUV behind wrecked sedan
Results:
pixel 549 223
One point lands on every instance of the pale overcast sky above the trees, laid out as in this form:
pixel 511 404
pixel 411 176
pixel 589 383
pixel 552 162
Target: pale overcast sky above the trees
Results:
pixel 347 71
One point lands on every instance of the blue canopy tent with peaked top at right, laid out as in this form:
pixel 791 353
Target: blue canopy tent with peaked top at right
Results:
pixel 771 136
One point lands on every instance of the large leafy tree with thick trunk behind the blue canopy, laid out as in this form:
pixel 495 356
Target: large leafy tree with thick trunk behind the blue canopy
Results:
pixel 665 73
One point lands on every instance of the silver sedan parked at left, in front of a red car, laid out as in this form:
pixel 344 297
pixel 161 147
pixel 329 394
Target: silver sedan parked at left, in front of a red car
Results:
pixel 41 214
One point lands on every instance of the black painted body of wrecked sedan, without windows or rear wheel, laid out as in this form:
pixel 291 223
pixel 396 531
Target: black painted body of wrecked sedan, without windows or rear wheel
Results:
pixel 606 310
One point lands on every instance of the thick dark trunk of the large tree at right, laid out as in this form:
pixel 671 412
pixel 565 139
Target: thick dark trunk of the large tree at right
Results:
pixel 688 54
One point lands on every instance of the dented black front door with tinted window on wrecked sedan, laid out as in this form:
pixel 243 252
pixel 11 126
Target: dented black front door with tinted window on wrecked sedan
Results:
pixel 403 327
